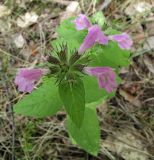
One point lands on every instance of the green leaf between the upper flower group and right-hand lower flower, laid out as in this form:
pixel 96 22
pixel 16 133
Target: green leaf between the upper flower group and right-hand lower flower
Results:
pixel 111 55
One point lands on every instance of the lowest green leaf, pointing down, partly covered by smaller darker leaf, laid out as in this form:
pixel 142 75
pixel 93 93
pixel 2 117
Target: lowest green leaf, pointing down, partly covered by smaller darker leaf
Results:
pixel 88 136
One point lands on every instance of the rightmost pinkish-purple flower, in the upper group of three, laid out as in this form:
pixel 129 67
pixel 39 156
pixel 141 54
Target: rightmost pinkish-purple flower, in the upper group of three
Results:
pixel 123 40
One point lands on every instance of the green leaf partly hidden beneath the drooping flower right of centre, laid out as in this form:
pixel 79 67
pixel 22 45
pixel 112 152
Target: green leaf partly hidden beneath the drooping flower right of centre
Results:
pixel 92 91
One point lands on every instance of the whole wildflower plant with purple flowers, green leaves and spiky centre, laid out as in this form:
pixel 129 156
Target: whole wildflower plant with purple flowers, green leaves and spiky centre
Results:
pixel 83 72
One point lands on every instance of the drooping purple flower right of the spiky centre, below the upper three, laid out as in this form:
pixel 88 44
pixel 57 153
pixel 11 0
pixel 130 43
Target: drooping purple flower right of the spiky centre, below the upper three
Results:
pixel 105 75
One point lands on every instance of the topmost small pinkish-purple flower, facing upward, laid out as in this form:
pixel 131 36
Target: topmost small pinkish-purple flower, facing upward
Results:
pixel 82 22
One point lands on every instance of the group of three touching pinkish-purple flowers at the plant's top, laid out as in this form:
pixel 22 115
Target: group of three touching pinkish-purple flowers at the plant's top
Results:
pixel 95 35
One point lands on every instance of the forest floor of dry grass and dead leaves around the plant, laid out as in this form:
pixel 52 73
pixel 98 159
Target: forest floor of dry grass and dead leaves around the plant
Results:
pixel 127 120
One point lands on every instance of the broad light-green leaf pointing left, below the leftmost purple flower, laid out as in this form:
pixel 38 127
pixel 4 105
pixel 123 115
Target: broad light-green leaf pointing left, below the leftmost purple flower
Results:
pixel 44 101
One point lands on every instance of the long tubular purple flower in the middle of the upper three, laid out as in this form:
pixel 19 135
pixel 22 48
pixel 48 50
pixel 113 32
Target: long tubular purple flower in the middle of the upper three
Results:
pixel 95 35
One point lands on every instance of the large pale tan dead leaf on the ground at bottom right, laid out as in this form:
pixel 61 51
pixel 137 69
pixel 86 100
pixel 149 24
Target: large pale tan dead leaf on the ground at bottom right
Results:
pixel 125 144
